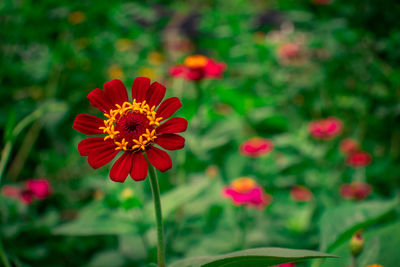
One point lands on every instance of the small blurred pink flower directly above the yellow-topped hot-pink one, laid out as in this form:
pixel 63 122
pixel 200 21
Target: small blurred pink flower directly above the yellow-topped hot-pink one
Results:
pixel 256 147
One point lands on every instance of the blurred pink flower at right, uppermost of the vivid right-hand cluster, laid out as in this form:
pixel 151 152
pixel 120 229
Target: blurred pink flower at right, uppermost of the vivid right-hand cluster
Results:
pixel 325 129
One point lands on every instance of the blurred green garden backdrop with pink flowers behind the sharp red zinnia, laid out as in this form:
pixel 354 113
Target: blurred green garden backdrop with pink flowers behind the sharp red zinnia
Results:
pixel 299 99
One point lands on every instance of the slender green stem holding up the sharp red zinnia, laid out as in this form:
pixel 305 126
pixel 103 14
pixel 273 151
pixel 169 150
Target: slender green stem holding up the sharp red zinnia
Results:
pixel 157 206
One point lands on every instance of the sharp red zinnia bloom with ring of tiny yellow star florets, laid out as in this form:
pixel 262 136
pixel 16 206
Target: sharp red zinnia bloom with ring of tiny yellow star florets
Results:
pixel 132 127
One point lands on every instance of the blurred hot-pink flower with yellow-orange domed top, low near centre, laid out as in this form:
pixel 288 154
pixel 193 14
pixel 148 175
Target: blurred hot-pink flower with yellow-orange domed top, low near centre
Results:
pixel 245 191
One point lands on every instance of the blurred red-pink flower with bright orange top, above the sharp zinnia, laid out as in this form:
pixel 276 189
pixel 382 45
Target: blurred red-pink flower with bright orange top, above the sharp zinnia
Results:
pixel 198 67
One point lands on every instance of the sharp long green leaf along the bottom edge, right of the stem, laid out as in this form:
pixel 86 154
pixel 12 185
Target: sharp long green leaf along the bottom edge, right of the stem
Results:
pixel 256 257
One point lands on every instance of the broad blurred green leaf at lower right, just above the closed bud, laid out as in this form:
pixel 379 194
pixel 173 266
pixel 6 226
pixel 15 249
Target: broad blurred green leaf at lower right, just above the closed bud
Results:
pixel 339 223
